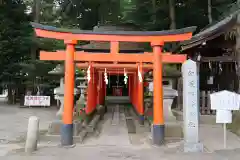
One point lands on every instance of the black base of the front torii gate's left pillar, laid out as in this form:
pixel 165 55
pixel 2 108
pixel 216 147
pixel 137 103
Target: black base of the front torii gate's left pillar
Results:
pixel 67 135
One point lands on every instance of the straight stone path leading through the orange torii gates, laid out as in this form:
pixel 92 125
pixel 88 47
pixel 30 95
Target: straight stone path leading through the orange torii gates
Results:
pixel 113 131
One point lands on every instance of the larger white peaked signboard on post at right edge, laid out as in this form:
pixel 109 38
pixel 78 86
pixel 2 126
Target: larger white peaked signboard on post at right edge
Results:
pixel 225 100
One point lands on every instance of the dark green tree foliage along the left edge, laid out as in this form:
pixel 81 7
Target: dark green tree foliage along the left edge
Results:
pixel 15 39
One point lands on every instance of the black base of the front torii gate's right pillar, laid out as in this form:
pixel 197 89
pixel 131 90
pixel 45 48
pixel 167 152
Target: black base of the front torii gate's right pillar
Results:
pixel 158 134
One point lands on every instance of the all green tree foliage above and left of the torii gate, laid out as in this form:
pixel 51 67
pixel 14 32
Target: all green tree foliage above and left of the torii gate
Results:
pixel 16 35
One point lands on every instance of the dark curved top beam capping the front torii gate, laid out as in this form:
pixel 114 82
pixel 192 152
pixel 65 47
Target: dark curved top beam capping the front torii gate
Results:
pixel 126 33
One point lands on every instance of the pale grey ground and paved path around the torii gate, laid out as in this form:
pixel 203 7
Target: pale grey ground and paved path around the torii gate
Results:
pixel 113 143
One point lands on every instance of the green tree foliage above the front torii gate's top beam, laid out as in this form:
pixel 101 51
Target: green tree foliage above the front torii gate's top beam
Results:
pixel 150 14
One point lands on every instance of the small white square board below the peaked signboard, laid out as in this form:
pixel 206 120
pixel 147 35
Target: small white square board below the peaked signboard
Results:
pixel 223 116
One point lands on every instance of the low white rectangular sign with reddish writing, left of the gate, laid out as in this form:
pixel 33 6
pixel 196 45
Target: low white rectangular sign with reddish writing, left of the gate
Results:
pixel 37 101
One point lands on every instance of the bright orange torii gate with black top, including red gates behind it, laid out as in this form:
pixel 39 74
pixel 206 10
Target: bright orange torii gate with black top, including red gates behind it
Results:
pixel 113 60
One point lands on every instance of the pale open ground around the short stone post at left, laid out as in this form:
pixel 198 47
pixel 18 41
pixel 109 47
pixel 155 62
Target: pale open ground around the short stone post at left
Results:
pixel 14 120
